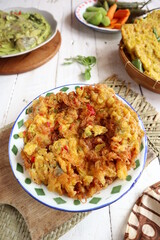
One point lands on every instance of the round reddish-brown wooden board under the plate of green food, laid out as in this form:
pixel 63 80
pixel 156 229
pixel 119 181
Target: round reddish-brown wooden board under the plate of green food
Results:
pixel 31 60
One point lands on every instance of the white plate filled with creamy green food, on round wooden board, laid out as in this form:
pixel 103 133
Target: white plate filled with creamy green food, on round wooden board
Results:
pixel 24 30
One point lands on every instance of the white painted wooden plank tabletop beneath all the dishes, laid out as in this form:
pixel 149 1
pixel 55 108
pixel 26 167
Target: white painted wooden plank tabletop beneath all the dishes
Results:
pixel 16 91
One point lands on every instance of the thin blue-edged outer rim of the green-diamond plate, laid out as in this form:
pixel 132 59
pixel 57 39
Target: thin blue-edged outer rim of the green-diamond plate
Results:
pixel 87 209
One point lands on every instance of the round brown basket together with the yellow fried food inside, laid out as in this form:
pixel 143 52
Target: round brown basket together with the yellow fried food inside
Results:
pixel 141 41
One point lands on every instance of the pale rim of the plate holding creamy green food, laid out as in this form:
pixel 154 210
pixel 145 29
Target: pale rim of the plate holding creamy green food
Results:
pixel 43 13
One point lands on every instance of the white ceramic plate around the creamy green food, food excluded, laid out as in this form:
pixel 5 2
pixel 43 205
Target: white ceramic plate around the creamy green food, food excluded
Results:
pixel 48 16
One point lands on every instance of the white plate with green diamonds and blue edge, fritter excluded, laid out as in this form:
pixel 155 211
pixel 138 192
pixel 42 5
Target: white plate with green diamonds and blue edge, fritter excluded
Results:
pixel 107 196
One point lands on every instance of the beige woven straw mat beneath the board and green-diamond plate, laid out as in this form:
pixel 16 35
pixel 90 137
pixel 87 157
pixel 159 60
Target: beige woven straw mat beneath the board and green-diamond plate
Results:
pixel 12 224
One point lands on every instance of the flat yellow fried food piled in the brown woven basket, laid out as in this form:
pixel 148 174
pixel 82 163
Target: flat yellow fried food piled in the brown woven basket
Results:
pixel 142 42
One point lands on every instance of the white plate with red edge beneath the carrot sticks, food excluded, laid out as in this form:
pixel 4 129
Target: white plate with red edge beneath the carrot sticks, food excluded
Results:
pixel 79 15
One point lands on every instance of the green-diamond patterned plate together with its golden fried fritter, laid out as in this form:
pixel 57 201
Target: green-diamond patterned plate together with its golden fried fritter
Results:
pixel 78 148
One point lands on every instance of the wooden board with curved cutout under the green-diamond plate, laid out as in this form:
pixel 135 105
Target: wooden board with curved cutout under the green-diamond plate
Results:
pixel 41 220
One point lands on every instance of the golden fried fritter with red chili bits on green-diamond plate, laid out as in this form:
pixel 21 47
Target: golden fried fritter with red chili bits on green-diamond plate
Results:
pixel 79 143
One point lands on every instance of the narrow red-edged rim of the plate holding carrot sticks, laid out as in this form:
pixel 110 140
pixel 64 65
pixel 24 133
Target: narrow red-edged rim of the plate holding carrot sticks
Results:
pixel 99 29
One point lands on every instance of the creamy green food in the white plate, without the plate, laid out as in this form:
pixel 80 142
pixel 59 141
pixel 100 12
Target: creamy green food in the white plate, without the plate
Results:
pixel 22 31
